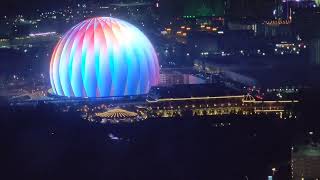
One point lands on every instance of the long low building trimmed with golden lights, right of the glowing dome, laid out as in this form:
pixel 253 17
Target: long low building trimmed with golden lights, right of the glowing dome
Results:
pixel 217 106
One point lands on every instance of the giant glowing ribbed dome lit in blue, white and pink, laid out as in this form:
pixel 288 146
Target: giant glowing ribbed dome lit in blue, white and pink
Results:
pixel 103 57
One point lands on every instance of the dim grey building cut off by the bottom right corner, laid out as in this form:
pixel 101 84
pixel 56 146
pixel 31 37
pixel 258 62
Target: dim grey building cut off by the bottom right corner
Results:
pixel 306 162
